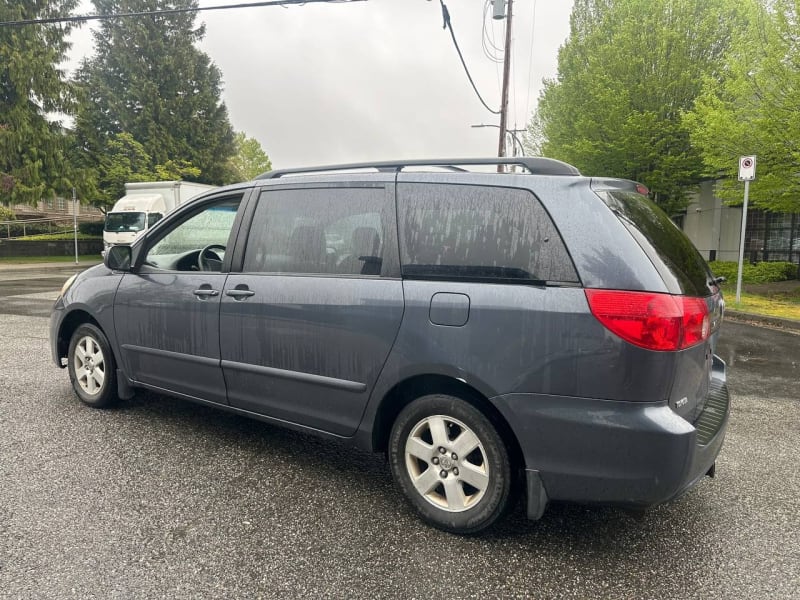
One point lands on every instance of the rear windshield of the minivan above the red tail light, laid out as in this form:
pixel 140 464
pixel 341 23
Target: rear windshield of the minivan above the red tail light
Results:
pixel 672 253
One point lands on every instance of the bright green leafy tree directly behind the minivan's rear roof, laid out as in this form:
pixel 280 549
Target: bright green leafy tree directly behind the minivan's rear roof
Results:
pixel 625 75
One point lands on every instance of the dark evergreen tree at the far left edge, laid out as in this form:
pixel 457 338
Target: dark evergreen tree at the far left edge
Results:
pixel 32 148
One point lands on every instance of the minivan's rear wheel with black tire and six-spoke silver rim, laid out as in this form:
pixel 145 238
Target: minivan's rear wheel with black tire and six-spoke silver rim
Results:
pixel 465 494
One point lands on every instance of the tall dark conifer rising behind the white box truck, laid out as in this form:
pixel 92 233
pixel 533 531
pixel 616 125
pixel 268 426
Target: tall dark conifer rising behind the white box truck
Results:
pixel 148 79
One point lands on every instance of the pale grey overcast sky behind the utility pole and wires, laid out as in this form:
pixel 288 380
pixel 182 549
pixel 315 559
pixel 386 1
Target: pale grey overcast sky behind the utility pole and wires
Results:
pixel 373 80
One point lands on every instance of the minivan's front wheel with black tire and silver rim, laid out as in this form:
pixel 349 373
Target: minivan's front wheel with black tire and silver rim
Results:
pixel 91 366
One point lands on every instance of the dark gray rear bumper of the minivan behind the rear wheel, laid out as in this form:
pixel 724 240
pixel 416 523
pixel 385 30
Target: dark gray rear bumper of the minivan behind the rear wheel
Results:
pixel 628 453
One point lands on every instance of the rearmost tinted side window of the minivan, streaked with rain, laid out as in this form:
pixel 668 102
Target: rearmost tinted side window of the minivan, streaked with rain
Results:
pixel 478 232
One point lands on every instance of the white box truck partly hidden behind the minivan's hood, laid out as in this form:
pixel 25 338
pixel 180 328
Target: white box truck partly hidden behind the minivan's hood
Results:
pixel 143 205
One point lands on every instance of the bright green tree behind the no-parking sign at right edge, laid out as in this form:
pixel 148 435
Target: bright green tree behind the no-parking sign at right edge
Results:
pixel 754 108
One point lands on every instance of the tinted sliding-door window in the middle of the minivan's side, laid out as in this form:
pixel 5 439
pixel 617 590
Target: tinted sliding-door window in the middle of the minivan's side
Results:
pixel 319 231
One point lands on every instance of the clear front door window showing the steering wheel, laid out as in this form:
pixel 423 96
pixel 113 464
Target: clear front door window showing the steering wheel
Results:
pixel 207 232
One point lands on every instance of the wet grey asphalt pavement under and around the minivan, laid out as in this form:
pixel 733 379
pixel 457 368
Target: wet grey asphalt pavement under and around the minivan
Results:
pixel 165 499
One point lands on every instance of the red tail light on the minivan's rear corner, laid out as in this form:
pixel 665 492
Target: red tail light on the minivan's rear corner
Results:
pixel 651 320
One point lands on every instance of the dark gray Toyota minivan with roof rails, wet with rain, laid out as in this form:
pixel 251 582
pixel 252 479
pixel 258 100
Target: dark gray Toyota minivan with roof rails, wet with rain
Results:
pixel 493 333
